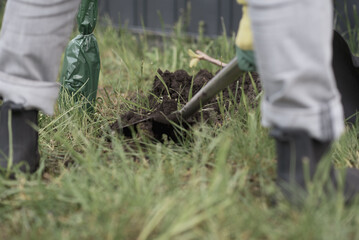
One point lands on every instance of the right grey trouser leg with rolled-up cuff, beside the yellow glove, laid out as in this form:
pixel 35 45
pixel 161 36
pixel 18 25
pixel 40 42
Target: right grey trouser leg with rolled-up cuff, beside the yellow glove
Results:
pixel 292 41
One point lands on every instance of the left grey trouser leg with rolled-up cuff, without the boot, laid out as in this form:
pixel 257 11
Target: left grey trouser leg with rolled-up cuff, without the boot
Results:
pixel 33 36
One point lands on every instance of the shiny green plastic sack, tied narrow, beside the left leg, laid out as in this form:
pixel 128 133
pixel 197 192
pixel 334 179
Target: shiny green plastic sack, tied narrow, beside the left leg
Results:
pixel 81 67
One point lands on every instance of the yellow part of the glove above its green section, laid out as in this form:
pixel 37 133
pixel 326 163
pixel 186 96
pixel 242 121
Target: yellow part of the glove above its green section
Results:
pixel 244 38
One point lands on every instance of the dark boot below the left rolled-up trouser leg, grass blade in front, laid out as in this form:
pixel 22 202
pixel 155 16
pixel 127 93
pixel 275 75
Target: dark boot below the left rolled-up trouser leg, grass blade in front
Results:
pixel 20 148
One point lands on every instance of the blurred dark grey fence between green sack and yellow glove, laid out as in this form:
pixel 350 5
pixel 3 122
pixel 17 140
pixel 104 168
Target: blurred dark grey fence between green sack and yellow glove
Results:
pixel 161 15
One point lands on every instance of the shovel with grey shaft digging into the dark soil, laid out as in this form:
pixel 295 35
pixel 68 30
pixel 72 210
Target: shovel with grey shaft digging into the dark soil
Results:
pixel 224 78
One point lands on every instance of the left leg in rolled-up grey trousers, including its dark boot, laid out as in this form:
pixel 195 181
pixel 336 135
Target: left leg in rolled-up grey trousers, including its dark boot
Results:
pixel 33 36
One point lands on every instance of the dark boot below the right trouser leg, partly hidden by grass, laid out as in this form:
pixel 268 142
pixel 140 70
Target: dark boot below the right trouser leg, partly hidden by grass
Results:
pixel 298 158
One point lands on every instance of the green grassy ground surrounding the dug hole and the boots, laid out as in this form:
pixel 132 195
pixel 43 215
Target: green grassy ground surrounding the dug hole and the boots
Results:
pixel 219 184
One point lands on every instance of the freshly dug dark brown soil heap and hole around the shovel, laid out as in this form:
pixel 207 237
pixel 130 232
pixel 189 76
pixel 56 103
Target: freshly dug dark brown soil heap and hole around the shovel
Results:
pixel 171 91
